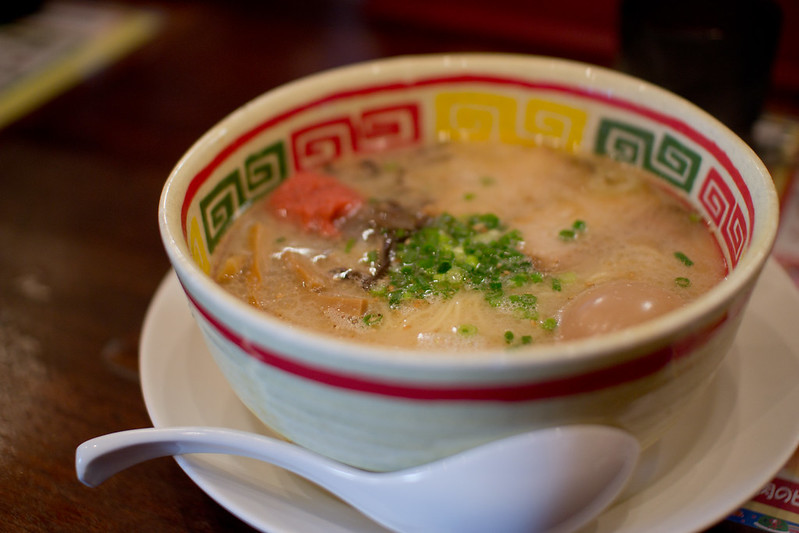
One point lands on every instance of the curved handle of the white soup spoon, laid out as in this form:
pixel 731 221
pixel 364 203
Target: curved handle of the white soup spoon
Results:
pixel 100 458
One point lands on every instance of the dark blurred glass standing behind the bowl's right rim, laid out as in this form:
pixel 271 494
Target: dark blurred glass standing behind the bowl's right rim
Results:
pixel 716 53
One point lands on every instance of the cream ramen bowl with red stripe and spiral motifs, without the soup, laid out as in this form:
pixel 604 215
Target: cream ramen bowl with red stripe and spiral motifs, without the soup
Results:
pixel 385 408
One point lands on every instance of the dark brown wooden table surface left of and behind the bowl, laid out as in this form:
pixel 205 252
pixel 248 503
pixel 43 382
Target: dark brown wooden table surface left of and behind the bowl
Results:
pixel 81 255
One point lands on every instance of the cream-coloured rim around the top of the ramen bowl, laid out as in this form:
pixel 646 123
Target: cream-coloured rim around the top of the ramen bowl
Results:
pixel 301 343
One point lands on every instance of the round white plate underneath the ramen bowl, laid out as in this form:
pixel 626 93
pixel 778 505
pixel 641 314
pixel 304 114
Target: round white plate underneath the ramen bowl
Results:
pixel 743 429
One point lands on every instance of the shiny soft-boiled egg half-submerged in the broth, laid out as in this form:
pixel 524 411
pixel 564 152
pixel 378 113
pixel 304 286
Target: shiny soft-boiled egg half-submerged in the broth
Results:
pixel 612 306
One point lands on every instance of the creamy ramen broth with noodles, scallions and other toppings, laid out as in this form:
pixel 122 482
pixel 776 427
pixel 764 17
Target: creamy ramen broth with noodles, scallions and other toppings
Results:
pixel 598 246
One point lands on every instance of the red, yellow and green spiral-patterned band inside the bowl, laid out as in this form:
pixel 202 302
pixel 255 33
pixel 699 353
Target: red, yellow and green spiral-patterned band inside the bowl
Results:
pixel 482 109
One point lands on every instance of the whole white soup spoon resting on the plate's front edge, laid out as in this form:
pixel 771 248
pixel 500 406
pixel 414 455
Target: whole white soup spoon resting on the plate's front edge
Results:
pixel 551 480
